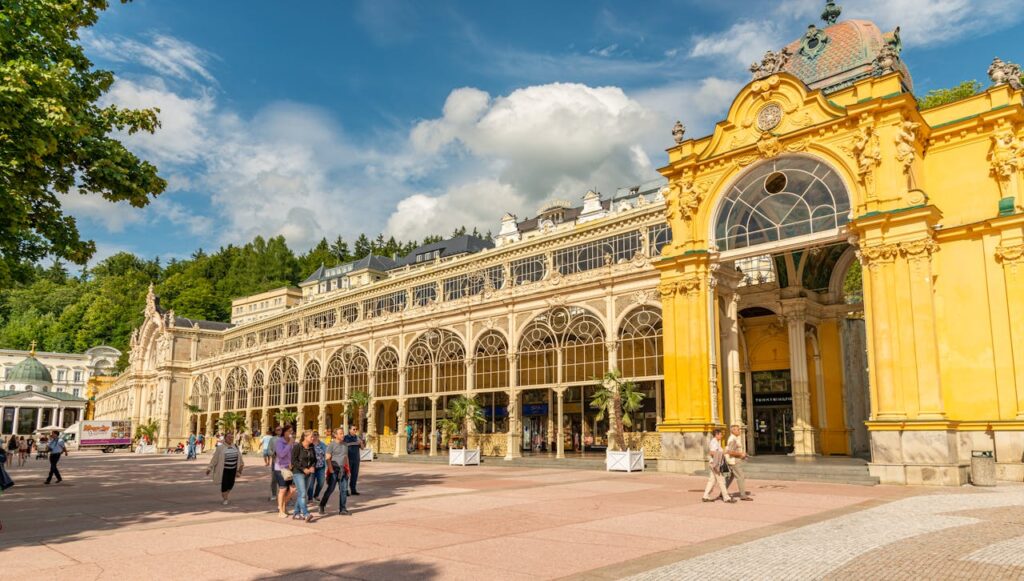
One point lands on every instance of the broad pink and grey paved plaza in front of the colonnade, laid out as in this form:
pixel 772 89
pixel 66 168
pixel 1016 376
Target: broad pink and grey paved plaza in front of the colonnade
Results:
pixel 129 517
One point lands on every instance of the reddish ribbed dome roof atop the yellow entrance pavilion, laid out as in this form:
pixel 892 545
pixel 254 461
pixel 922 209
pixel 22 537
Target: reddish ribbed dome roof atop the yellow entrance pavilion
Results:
pixel 843 55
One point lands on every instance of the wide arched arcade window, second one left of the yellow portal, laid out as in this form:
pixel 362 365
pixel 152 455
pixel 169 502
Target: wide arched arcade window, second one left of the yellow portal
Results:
pixel 572 336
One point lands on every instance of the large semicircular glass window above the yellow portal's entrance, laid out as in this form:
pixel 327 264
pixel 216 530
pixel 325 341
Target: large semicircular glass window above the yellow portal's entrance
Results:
pixel 780 199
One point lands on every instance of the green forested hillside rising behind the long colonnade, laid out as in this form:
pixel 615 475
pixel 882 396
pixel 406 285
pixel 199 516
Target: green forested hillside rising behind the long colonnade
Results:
pixel 72 312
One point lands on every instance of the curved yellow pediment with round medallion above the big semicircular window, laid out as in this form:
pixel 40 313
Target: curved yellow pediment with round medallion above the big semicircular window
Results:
pixel 765 110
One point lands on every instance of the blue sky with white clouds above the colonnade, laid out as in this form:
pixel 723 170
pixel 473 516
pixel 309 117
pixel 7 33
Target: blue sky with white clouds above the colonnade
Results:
pixel 326 118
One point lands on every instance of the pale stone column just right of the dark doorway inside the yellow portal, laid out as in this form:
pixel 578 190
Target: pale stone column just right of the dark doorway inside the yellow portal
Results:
pixel 803 430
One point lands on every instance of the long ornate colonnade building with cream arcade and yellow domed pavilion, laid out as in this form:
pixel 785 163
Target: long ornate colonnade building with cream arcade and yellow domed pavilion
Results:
pixel 833 269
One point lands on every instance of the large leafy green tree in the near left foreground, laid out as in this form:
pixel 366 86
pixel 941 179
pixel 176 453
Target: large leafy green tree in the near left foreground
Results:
pixel 56 140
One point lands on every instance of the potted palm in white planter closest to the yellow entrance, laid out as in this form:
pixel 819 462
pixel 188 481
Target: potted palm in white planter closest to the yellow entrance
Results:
pixel 619 400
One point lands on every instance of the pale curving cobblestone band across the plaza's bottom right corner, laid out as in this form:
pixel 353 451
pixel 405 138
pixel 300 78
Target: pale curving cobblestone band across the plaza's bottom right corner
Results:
pixel 817 551
